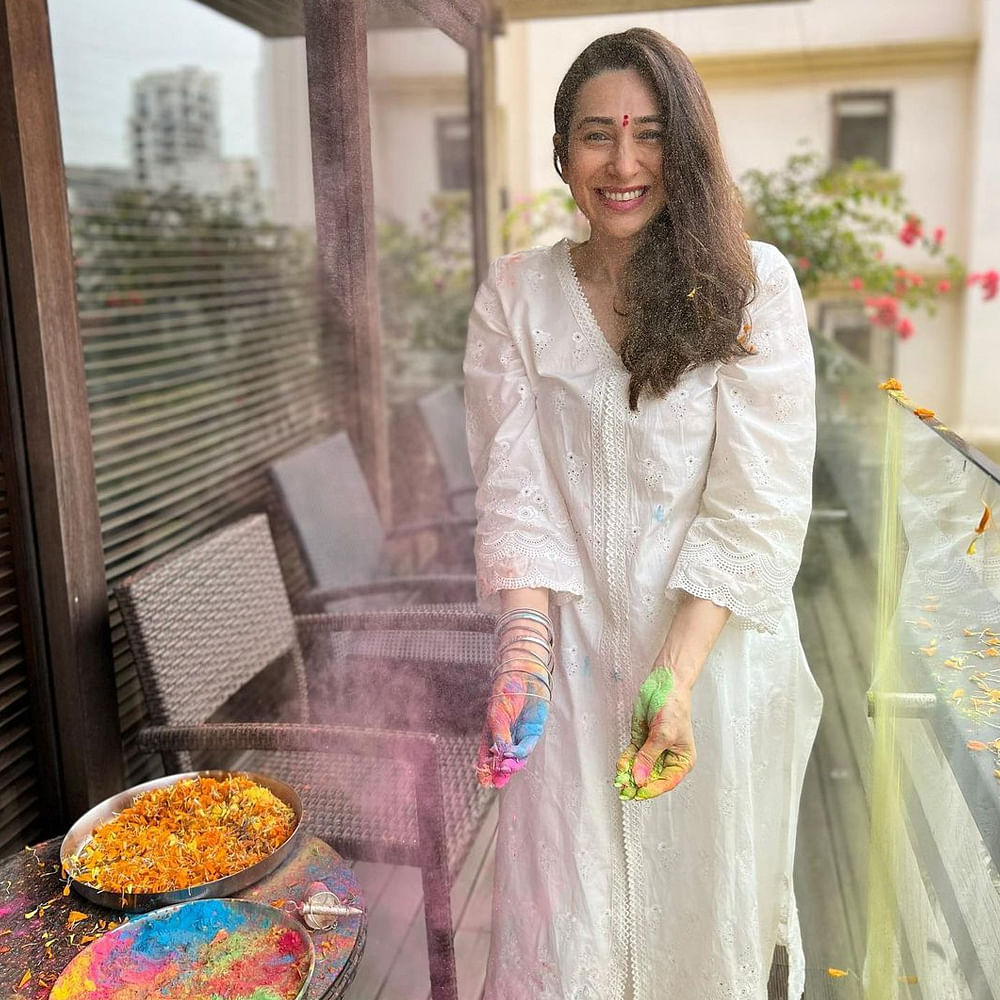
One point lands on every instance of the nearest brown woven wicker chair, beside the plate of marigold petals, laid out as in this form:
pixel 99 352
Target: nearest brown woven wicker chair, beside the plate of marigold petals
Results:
pixel 212 622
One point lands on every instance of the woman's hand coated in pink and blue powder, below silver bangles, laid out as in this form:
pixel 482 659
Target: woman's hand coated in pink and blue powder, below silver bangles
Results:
pixel 515 717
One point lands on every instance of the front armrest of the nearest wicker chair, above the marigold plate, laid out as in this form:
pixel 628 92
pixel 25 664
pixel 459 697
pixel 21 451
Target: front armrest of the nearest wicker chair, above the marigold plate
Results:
pixel 350 740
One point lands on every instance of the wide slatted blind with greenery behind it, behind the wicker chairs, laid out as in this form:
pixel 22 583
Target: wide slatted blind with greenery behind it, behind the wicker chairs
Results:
pixel 206 359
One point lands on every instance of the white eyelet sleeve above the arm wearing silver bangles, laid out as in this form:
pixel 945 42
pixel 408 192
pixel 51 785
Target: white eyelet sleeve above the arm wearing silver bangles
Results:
pixel 524 537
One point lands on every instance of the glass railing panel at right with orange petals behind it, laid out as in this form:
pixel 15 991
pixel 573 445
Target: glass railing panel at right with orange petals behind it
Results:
pixel 920 501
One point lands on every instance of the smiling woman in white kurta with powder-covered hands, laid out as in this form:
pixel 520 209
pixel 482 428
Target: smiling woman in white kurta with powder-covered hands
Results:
pixel 641 426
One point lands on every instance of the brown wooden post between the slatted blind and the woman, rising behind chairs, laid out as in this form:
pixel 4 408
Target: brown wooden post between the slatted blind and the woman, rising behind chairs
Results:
pixel 337 63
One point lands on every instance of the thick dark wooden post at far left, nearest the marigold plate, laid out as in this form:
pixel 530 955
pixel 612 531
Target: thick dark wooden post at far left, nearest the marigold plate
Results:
pixel 57 443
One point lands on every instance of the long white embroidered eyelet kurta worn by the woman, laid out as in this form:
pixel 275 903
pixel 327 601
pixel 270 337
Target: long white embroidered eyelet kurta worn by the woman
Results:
pixel 706 491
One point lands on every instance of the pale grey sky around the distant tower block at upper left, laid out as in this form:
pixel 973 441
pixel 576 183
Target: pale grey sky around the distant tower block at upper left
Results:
pixel 100 46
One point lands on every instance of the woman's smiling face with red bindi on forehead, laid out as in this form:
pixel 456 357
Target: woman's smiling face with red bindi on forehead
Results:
pixel 615 168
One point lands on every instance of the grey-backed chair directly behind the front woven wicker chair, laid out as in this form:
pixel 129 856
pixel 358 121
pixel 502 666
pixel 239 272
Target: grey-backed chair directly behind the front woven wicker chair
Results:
pixel 322 491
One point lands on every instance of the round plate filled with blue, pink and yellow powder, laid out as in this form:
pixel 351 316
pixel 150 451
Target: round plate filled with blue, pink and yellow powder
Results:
pixel 209 949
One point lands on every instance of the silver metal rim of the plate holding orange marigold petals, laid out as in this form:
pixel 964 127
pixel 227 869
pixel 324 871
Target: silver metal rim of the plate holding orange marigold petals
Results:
pixel 83 829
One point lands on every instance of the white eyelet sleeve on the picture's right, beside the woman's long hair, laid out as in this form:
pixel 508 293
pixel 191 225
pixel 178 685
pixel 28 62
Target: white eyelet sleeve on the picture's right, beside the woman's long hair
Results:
pixel 743 549
